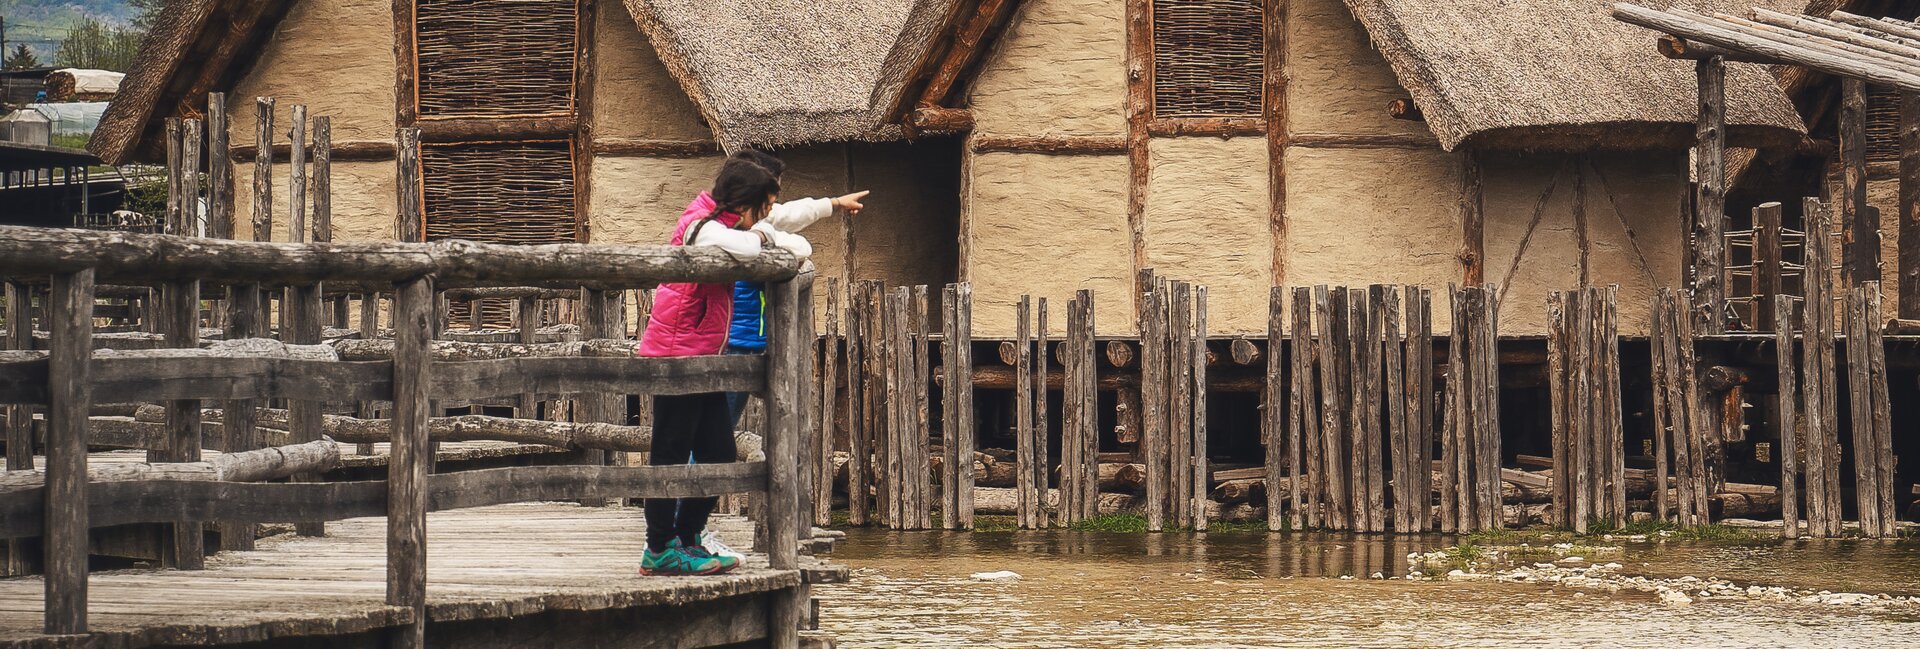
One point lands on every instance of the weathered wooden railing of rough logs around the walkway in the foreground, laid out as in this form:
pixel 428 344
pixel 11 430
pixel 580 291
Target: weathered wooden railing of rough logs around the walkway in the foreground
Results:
pixel 68 379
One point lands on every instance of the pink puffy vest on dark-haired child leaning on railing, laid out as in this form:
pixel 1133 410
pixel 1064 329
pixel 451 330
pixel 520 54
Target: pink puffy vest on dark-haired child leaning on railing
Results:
pixel 690 320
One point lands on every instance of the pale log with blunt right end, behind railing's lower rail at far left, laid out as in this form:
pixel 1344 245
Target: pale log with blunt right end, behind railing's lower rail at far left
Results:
pixel 258 466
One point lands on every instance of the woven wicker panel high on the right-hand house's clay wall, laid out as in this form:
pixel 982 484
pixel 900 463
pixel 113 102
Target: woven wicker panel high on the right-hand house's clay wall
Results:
pixel 1209 59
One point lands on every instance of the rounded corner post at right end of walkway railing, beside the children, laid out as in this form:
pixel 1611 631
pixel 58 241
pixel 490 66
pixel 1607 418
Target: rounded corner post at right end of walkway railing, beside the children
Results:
pixel 786 352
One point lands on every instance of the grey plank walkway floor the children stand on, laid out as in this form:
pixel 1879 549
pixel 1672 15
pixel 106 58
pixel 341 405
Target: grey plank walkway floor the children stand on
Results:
pixel 483 564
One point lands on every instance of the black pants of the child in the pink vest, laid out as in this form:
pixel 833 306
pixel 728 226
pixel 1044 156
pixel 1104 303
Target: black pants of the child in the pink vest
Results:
pixel 686 429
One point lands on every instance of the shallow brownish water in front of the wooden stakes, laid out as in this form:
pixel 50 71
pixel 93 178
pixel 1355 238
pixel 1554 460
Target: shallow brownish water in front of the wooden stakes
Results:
pixel 1314 590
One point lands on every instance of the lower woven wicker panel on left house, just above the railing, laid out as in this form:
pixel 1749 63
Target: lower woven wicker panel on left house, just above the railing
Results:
pixel 498 193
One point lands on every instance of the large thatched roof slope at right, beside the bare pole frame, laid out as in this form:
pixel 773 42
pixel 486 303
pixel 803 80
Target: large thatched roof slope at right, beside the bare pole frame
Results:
pixel 1562 76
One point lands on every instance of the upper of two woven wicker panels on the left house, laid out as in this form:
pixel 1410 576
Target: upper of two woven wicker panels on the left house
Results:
pixel 494 59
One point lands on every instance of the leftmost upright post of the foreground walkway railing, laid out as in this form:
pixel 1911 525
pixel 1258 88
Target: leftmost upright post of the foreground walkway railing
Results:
pixel 70 398
